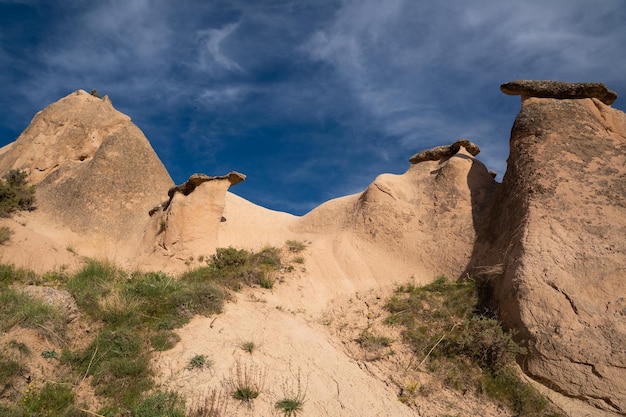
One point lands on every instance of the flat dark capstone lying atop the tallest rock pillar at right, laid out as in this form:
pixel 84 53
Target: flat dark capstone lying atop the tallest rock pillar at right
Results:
pixel 559 90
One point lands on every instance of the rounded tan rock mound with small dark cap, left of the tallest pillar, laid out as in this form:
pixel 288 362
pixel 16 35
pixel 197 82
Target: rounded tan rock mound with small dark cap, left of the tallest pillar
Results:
pixel 424 219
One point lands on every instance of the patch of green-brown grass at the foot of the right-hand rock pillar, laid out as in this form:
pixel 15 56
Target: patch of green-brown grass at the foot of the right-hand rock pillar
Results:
pixel 453 336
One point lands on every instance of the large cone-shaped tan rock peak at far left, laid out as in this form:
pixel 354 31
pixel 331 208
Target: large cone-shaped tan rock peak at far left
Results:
pixel 95 171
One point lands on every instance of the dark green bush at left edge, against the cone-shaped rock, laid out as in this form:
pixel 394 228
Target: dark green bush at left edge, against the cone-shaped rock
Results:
pixel 15 193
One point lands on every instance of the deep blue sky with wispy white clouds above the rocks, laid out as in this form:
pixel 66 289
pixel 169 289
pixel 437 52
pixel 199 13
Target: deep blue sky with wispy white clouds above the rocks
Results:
pixel 310 99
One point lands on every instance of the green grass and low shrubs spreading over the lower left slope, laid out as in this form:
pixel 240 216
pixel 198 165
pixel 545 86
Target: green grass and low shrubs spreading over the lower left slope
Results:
pixel 133 315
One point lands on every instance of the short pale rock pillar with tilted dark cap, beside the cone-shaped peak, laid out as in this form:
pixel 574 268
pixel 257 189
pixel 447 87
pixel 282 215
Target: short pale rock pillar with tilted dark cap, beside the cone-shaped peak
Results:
pixel 188 223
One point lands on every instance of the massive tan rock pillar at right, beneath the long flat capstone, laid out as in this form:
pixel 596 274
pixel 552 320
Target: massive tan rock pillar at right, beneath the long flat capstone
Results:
pixel 554 248
